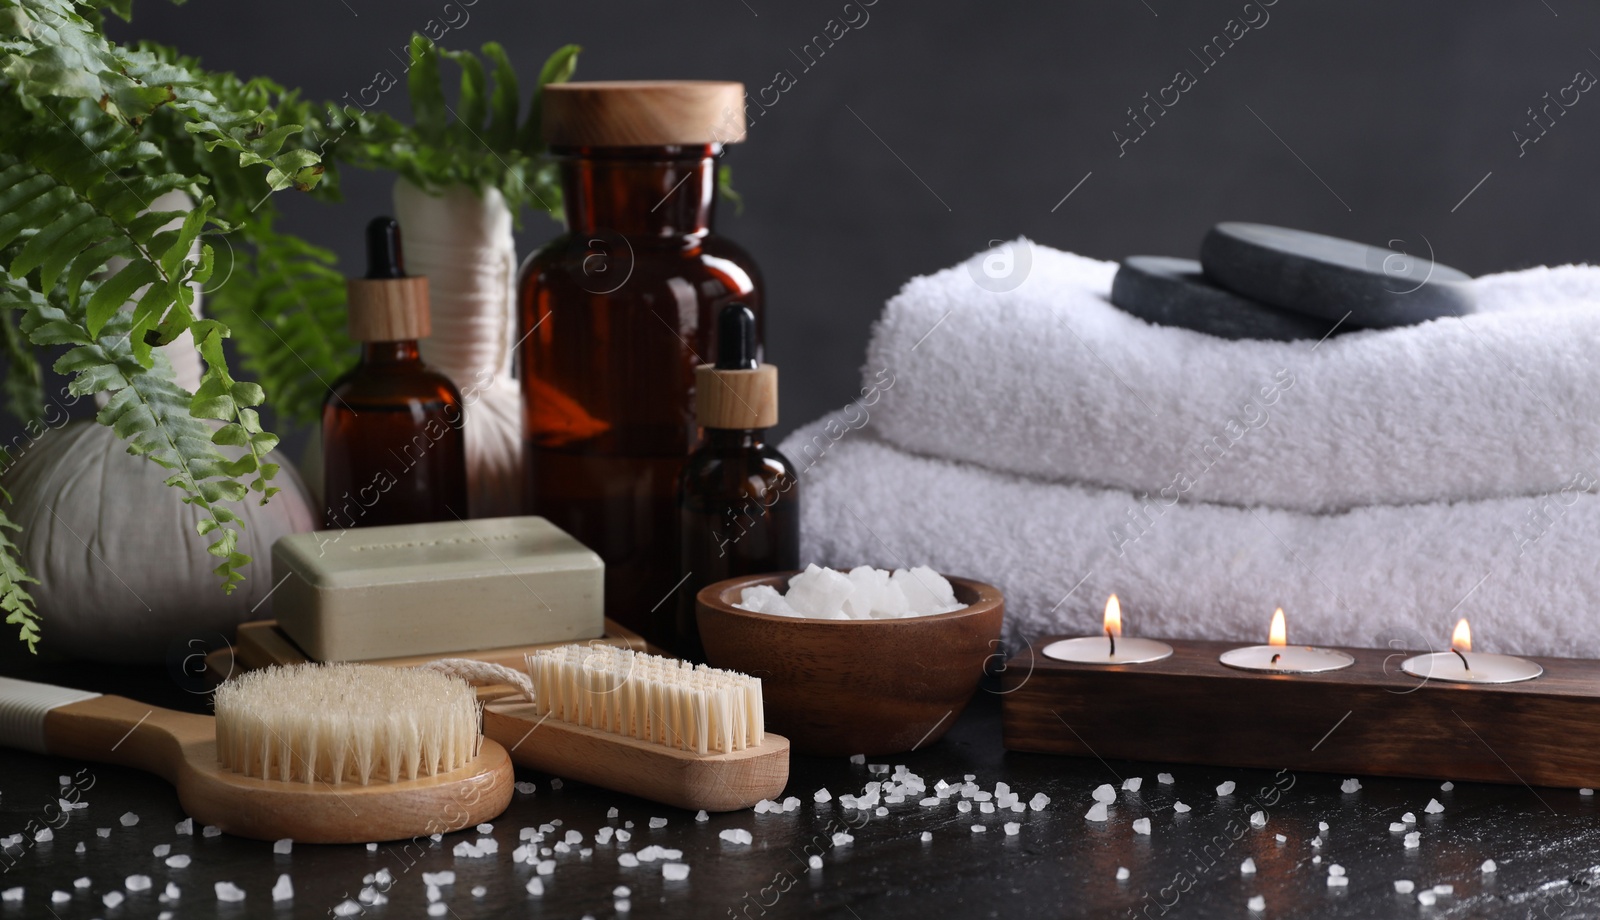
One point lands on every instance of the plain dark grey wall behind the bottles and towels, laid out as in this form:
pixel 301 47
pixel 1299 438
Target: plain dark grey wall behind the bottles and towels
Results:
pixel 942 126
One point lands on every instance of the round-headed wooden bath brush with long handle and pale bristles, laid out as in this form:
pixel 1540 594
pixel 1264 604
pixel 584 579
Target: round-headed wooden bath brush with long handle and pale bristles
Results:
pixel 318 753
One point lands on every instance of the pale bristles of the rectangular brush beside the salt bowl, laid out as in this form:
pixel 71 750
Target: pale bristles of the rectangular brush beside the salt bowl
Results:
pixel 650 698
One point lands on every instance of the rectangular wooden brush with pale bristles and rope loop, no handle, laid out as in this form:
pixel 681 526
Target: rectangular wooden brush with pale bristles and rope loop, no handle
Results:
pixel 639 724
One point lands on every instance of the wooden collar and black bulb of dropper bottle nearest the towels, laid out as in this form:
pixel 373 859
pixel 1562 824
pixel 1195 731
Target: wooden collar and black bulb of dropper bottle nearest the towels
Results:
pixel 737 393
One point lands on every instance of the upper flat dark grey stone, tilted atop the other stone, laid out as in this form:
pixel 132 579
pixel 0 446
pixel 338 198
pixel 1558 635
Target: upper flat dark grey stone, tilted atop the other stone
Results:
pixel 1329 278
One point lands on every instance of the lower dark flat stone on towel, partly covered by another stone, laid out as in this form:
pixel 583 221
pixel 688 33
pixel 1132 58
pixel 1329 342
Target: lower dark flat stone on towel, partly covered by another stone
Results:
pixel 1174 294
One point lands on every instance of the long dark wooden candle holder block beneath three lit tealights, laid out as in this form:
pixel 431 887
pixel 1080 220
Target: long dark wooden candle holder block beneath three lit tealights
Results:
pixel 1369 719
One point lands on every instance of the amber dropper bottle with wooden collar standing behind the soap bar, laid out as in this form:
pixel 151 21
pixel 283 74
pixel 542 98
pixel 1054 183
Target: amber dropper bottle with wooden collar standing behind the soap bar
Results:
pixel 393 442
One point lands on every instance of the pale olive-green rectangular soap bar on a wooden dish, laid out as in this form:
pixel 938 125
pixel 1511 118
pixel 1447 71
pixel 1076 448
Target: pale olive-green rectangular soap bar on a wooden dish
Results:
pixel 436 588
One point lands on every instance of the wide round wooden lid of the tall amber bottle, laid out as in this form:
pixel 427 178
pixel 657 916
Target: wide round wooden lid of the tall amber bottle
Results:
pixel 644 113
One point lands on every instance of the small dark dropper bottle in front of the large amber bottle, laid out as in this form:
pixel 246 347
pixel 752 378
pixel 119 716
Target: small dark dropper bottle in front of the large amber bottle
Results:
pixel 738 498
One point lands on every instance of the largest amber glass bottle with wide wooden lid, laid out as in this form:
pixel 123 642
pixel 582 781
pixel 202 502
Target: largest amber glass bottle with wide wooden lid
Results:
pixel 615 316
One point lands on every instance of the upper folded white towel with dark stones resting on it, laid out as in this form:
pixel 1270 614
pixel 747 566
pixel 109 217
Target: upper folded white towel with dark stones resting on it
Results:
pixel 1054 382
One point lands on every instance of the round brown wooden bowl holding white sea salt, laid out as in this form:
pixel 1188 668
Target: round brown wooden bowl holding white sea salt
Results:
pixel 841 687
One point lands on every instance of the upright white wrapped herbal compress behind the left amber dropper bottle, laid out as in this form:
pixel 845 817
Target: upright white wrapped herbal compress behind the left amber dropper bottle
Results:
pixel 462 242
